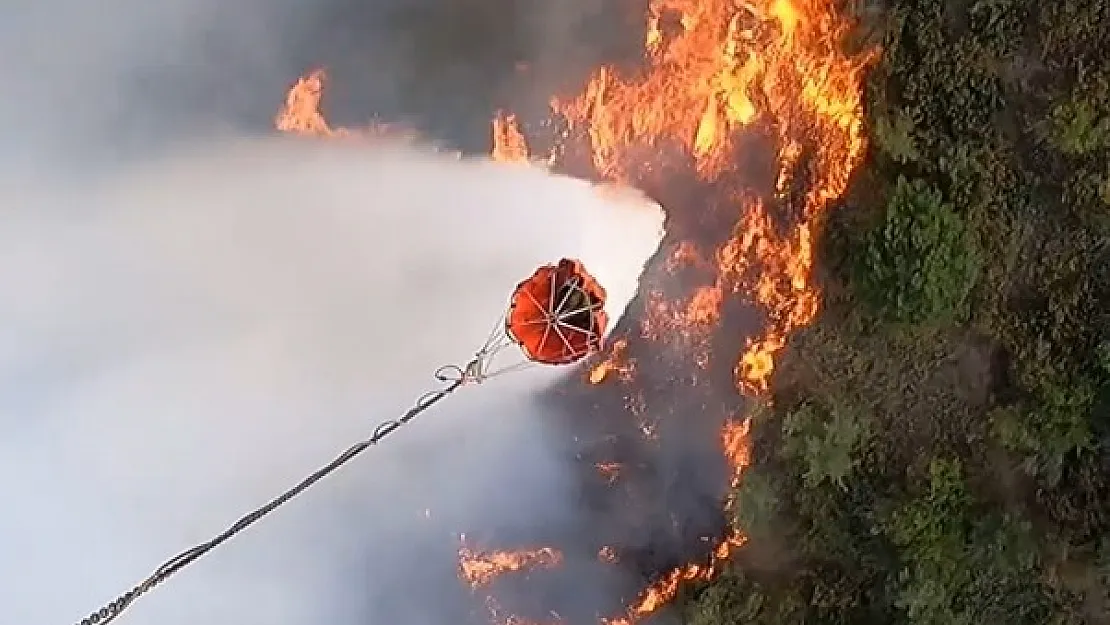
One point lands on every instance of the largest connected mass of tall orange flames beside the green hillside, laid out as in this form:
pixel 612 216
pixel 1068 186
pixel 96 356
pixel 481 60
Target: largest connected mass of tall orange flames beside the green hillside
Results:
pixel 720 68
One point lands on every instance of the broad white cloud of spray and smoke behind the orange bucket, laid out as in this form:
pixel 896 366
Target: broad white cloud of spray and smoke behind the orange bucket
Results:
pixel 183 341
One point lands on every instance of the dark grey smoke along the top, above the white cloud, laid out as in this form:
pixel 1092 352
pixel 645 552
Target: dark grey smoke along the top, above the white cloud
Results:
pixel 119 77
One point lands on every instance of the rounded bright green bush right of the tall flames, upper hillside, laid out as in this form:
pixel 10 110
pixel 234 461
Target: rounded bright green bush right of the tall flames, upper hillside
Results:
pixel 920 265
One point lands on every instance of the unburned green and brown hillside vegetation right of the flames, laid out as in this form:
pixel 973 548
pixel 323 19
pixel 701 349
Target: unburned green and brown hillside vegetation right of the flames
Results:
pixel 939 450
